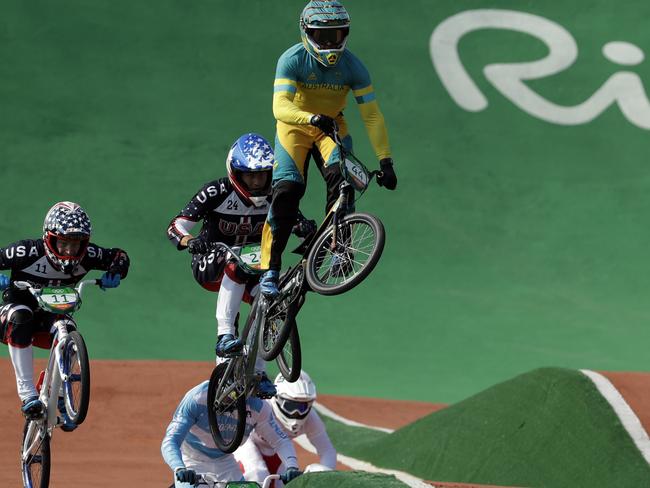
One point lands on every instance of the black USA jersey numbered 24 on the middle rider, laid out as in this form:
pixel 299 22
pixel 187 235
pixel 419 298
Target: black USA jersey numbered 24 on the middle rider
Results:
pixel 225 217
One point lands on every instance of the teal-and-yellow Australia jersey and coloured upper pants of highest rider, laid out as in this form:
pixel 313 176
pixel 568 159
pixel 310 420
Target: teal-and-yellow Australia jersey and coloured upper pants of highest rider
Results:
pixel 303 87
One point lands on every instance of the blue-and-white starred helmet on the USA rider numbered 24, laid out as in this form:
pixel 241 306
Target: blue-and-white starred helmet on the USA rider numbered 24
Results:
pixel 251 153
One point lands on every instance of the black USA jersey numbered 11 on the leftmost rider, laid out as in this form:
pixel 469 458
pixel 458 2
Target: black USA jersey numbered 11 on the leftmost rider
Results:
pixel 27 261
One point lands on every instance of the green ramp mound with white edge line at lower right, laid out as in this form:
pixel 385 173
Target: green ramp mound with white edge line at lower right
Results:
pixel 546 428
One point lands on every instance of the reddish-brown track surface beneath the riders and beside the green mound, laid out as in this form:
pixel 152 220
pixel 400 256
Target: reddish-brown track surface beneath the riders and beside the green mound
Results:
pixel 132 403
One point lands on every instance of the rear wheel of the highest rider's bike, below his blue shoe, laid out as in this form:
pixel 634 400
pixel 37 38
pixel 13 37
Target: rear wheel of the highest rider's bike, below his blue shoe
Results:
pixel 281 315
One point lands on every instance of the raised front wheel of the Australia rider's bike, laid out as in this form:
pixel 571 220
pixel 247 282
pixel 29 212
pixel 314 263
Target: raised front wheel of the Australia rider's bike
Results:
pixel 342 258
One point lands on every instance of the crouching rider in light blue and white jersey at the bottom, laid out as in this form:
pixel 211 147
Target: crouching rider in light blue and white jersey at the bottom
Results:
pixel 189 450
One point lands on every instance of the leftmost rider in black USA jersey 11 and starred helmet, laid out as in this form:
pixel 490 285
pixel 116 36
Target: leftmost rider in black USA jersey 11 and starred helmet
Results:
pixel 61 257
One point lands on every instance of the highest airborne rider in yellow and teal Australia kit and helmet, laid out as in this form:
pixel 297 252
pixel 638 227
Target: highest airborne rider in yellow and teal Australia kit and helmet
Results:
pixel 312 81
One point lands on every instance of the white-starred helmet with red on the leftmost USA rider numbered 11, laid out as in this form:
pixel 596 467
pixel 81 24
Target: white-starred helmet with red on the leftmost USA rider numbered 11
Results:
pixel 66 233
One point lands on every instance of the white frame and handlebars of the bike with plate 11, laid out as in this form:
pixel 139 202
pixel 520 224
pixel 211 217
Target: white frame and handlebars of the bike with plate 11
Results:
pixel 55 375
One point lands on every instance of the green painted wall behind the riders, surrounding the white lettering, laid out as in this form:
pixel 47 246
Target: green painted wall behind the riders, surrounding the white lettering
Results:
pixel 512 243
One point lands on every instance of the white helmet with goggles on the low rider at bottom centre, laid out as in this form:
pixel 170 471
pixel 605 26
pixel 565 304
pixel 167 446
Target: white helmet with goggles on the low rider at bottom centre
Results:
pixel 293 401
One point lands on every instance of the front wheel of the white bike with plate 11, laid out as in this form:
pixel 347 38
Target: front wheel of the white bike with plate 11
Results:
pixel 76 389
